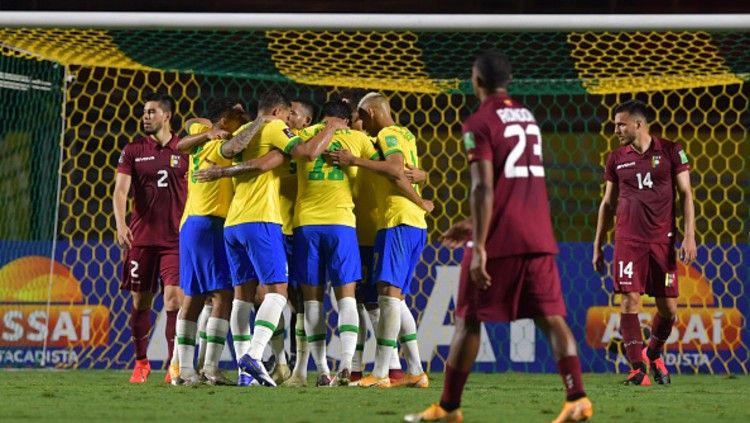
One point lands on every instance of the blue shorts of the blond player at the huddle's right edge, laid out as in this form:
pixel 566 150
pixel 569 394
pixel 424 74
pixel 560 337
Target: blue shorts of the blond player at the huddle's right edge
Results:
pixel 397 252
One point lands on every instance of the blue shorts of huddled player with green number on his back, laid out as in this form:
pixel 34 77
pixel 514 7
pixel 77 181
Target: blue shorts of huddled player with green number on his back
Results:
pixel 326 253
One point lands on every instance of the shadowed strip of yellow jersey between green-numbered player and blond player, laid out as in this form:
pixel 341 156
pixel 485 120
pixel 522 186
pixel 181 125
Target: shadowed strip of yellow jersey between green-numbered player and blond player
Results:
pixel 366 206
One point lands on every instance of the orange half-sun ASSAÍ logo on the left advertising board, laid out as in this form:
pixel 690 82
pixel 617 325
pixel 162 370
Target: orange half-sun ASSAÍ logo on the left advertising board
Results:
pixel 27 321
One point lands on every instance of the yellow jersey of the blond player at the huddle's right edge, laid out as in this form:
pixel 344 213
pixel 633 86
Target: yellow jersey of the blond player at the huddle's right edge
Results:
pixel 395 208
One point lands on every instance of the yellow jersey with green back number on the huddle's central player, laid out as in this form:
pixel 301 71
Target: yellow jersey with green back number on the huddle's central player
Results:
pixel 324 194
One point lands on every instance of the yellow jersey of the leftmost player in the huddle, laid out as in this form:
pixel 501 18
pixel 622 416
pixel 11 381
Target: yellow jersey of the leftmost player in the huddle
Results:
pixel 207 198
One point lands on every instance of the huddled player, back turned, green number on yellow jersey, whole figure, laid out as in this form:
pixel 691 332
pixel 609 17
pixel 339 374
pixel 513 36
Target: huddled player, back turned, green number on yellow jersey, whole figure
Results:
pixel 325 241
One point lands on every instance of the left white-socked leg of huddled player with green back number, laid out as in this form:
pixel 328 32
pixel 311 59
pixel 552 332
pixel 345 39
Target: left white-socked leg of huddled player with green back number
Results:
pixel 315 328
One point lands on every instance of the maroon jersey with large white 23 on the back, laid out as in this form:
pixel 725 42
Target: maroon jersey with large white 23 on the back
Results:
pixel 505 133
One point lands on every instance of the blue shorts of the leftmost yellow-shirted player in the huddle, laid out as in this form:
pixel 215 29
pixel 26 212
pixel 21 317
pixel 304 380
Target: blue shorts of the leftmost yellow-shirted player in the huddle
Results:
pixel 203 260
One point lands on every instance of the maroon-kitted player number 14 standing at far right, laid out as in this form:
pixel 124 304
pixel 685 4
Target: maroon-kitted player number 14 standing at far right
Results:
pixel 641 176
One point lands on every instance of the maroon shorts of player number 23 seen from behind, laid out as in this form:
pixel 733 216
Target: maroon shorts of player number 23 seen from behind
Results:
pixel 522 287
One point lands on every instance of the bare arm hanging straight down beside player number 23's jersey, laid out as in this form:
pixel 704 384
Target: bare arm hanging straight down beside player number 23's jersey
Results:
pixel 482 197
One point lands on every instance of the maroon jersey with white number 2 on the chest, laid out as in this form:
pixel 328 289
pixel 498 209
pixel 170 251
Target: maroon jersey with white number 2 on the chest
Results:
pixel 159 190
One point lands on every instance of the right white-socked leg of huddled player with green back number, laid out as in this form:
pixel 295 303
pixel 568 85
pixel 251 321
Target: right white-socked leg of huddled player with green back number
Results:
pixel 348 330
